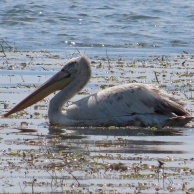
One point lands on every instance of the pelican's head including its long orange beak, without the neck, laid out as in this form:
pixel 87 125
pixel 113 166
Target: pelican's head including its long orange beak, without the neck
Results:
pixel 75 67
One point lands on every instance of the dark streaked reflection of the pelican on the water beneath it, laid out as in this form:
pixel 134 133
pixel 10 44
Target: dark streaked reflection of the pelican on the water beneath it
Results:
pixel 120 140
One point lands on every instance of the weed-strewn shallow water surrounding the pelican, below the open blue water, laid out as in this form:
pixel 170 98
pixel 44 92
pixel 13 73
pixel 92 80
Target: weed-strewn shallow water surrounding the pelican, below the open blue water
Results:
pixel 36 157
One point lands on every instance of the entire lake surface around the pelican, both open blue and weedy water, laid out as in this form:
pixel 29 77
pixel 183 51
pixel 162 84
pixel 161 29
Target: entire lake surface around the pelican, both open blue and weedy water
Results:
pixel 126 42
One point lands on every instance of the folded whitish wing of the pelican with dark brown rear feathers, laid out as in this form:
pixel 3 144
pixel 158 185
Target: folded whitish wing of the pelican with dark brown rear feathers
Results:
pixel 125 100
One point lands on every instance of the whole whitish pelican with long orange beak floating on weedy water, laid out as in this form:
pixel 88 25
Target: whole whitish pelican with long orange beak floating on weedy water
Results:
pixel 132 104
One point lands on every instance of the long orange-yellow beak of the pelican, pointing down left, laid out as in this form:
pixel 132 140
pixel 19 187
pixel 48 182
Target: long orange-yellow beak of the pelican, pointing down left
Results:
pixel 57 82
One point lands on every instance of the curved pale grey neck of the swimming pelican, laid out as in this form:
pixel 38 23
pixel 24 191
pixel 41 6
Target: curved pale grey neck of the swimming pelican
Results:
pixel 56 104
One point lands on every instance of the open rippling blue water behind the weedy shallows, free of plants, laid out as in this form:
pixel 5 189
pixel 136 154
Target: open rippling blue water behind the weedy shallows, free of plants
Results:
pixel 130 29
